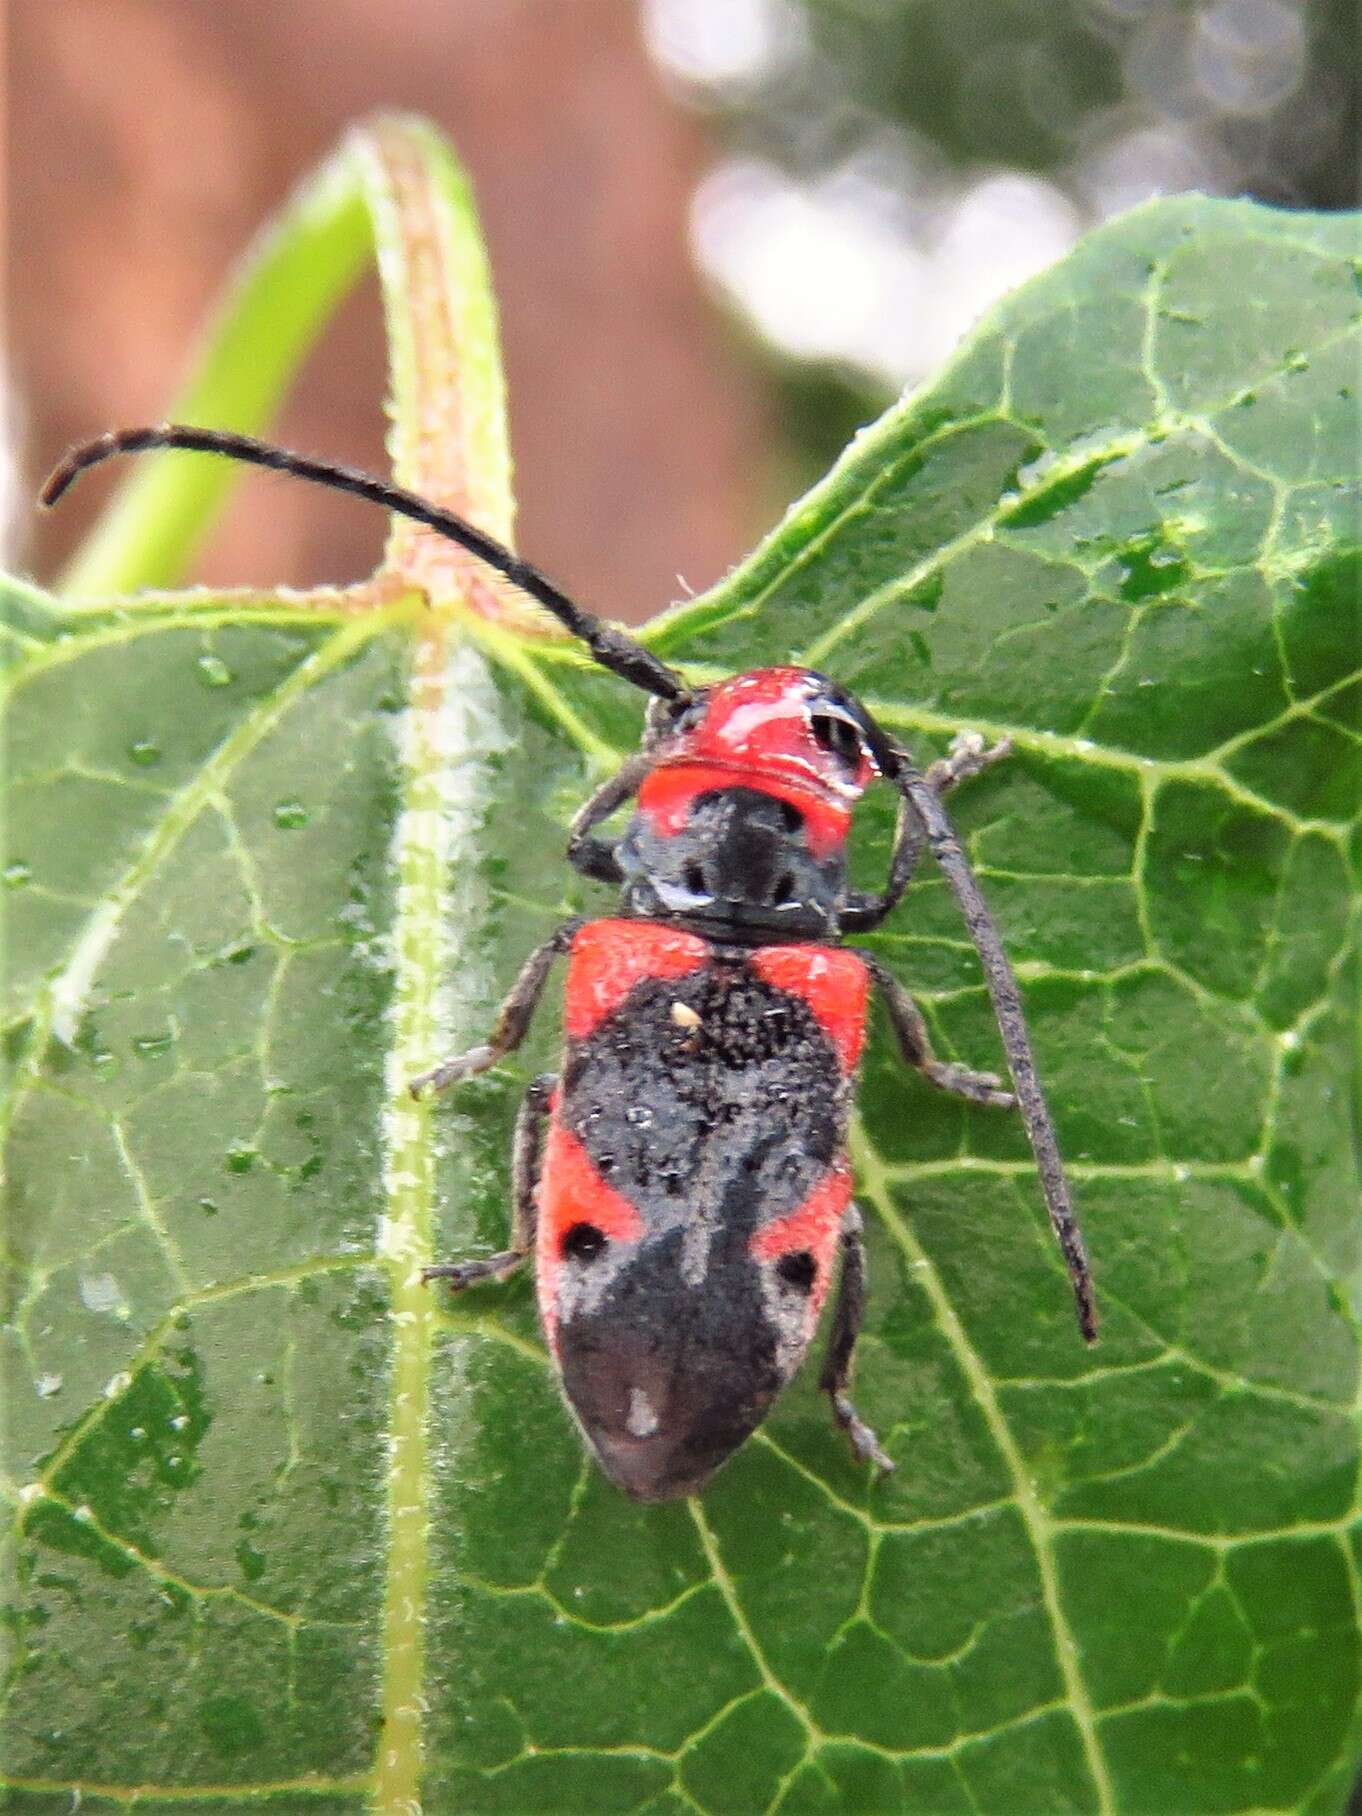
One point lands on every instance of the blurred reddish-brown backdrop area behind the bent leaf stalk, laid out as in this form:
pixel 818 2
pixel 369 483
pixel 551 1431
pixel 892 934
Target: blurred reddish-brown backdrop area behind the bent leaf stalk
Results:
pixel 150 139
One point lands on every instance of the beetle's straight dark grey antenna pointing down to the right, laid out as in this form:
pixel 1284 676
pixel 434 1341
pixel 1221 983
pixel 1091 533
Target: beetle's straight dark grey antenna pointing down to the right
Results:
pixel 1012 1025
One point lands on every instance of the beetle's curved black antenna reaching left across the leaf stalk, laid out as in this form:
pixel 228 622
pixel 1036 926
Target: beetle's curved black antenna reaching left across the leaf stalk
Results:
pixel 611 646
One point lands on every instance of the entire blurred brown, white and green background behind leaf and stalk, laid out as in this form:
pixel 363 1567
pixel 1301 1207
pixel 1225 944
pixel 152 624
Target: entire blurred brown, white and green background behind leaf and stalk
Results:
pixel 724 232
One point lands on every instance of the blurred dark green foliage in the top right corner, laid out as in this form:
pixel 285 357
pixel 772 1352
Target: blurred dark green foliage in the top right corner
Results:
pixel 1032 83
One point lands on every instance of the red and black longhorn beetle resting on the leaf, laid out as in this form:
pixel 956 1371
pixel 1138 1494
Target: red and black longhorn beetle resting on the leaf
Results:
pixel 684 1183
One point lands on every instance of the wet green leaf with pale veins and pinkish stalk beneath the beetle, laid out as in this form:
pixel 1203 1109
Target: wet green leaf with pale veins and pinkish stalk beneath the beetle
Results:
pixel 290 1525
